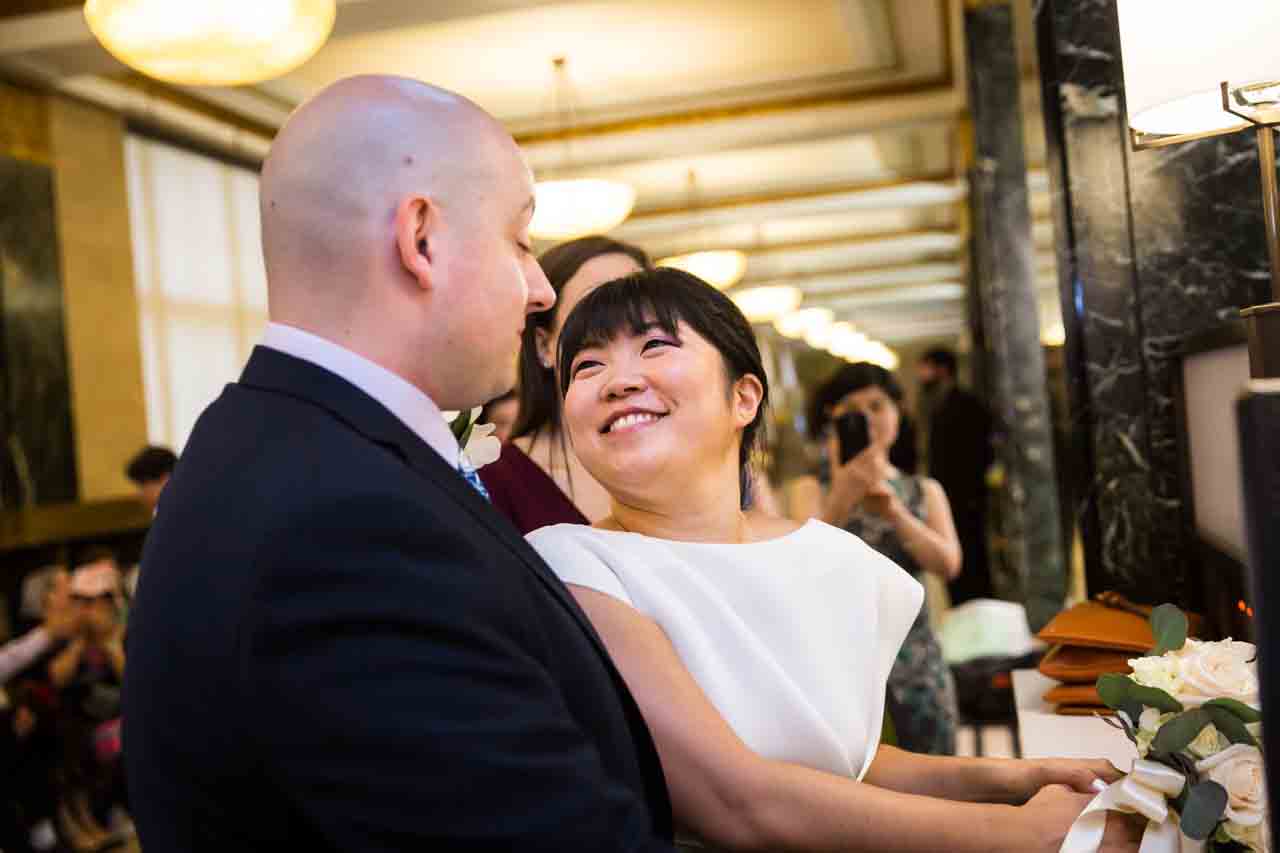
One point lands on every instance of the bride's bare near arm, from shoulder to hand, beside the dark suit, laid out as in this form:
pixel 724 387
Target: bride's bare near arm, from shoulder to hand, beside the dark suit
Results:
pixel 734 799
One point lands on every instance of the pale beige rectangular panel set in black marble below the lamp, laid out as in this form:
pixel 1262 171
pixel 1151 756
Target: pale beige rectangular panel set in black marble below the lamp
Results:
pixel 1213 382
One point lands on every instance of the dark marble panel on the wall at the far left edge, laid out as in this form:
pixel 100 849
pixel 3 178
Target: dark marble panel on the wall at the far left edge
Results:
pixel 35 389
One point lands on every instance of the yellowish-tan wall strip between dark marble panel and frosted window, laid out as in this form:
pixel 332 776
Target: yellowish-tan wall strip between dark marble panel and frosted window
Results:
pixel 102 312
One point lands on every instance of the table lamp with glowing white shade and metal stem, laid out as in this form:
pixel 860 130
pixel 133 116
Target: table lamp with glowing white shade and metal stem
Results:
pixel 1196 70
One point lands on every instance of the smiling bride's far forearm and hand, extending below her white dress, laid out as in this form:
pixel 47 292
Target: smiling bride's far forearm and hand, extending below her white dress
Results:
pixel 982 781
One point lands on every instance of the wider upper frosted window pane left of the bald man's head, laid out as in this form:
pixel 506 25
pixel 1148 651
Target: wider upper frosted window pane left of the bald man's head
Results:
pixel 191 217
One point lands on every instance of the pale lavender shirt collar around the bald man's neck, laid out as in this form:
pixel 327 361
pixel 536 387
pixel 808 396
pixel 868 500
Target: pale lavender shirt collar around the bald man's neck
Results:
pixel 403 399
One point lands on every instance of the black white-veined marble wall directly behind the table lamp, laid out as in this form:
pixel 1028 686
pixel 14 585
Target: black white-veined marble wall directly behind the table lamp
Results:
pixel 1153 248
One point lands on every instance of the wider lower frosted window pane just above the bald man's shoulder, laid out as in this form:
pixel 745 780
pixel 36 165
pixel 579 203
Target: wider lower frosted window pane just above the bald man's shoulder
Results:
pixel 203 358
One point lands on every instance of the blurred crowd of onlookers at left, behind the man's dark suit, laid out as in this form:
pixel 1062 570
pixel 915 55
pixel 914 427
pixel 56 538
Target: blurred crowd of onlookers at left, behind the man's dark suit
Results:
pixel 61 700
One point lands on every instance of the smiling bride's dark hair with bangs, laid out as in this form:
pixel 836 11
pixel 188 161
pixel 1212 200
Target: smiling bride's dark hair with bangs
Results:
pixel 666 298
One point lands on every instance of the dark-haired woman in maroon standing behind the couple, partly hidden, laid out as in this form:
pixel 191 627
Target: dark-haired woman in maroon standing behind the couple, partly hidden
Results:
pixel 538 480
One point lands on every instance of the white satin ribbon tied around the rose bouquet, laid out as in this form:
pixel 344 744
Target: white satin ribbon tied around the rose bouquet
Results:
pixel 1146 791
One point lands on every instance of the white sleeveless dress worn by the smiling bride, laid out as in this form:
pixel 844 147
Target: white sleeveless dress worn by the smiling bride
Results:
pixel 792 640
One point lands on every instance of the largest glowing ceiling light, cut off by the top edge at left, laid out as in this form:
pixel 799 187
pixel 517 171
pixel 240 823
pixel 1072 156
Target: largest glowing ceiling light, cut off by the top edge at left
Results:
pixel 228 43
